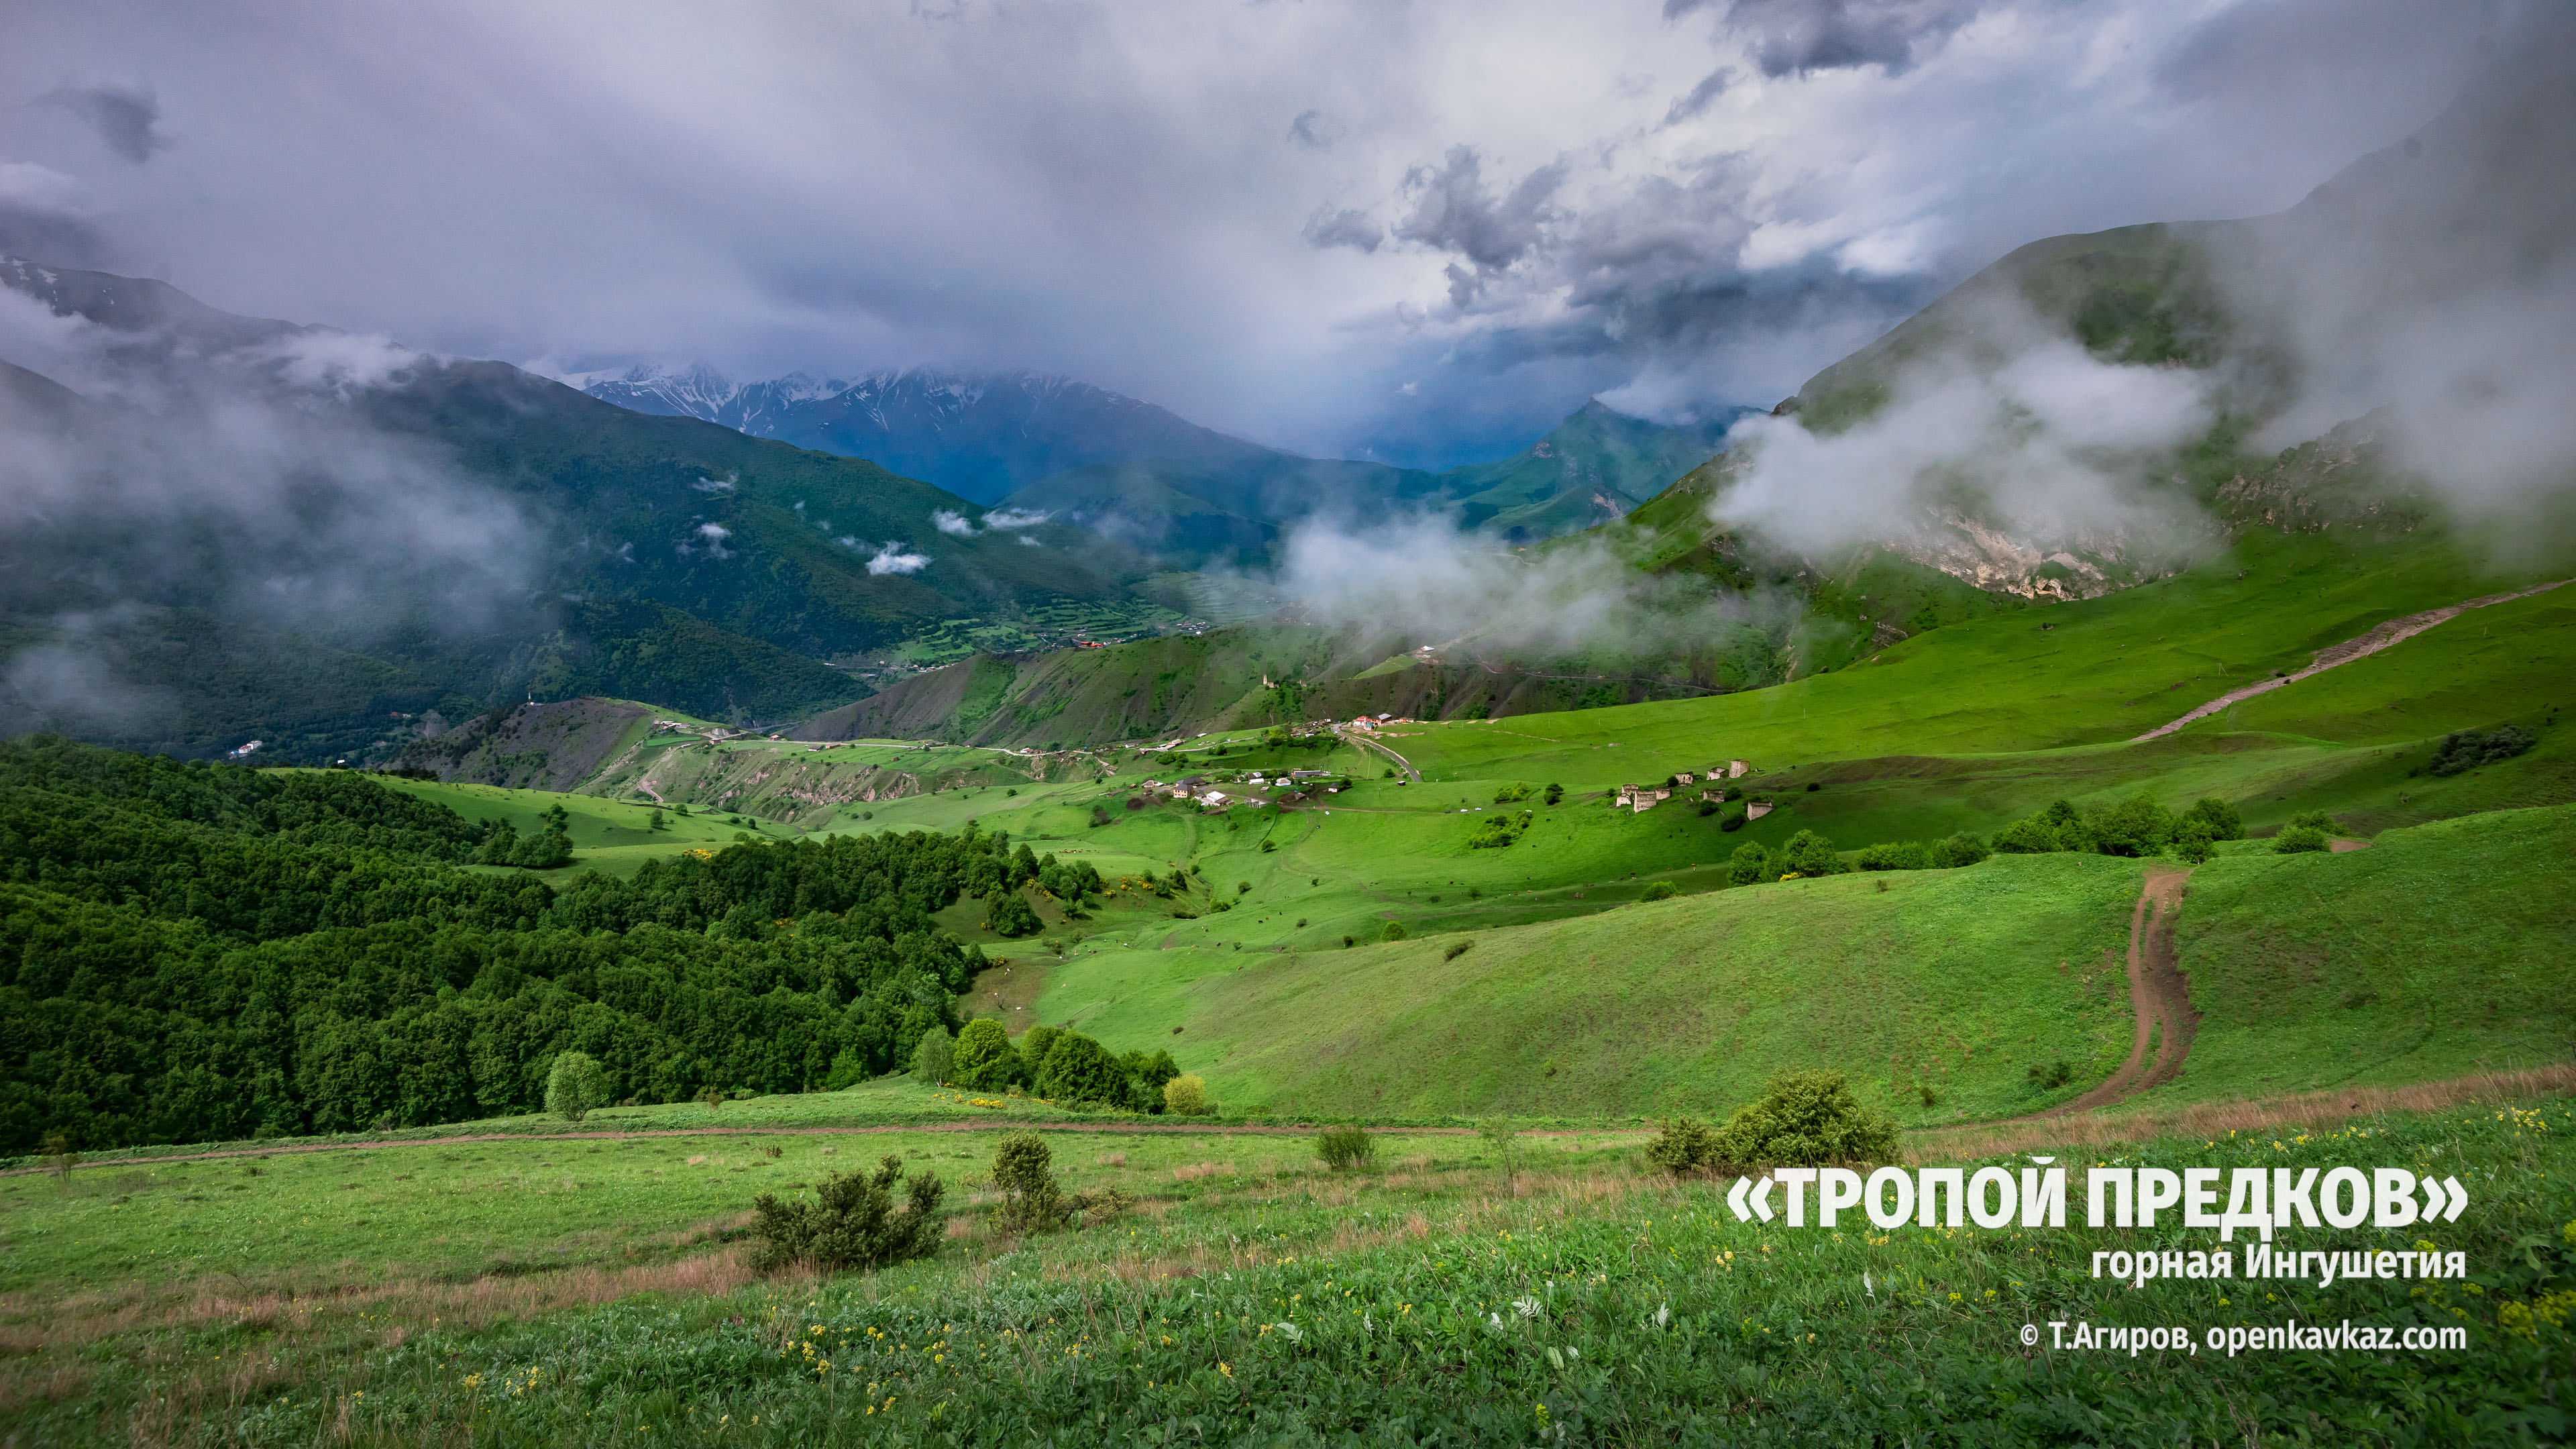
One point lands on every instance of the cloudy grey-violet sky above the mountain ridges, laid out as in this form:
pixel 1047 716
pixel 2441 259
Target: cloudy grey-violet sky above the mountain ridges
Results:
pixel 1369 228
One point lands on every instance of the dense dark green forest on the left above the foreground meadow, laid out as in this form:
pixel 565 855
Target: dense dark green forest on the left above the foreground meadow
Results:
pixel 205 953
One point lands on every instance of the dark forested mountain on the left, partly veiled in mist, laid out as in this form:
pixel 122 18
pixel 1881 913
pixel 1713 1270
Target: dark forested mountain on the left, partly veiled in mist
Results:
pixel 223 527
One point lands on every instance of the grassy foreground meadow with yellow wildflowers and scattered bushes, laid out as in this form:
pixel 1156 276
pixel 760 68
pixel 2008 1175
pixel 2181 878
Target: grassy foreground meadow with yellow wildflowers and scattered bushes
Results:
pixel 1248 1296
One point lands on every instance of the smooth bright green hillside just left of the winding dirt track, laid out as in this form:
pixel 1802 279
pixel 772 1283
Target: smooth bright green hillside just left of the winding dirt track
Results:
pixel 1946 981
